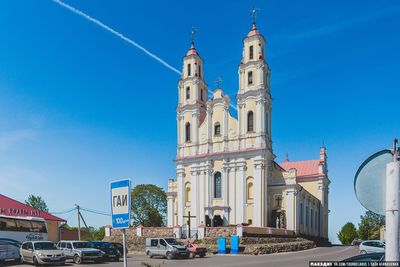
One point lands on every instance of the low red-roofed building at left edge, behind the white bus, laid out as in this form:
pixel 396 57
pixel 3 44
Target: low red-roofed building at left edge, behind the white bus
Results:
pixel 12 207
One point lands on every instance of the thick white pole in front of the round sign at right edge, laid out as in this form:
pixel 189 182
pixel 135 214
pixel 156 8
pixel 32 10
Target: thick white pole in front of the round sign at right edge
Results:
pixel 392 208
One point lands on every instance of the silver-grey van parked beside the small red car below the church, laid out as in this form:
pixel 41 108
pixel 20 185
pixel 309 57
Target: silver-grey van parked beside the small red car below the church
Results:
pixel 166 247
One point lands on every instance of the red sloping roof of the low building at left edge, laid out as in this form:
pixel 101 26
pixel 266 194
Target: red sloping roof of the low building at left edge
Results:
pixel 11 207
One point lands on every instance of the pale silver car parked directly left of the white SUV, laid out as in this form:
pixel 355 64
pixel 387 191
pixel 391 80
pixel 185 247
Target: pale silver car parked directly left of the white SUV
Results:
pixel 41 252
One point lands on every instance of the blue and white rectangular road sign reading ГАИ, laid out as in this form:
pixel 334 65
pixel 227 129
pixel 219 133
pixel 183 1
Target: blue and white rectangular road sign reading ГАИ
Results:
pixel 121 203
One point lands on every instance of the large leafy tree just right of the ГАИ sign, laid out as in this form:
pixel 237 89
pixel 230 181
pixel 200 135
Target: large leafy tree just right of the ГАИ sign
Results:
pixel 149 205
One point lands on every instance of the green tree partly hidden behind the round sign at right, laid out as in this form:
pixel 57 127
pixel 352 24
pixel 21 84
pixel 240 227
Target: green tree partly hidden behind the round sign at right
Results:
pixel 369 226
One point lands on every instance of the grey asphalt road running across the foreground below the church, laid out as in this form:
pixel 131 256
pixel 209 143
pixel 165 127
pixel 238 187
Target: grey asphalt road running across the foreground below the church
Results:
pixel 293 259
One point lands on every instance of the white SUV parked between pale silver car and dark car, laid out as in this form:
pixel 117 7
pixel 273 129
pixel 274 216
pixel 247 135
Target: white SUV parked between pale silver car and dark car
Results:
pixel 79 251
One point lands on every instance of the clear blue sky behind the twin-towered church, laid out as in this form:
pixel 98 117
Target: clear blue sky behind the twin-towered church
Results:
pixel 80 107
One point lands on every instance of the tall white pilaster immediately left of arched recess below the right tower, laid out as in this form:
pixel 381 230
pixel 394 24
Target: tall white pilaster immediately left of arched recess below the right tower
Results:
pixel 240 190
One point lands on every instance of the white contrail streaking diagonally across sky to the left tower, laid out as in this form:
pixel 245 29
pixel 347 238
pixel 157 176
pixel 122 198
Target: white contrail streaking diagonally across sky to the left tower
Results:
pixel 120 35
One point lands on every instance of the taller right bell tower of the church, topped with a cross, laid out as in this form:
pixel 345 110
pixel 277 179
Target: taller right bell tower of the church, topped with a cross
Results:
pixel 254 99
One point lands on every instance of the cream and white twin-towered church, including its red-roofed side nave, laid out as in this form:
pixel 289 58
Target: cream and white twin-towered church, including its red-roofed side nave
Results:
pixel 226 172
